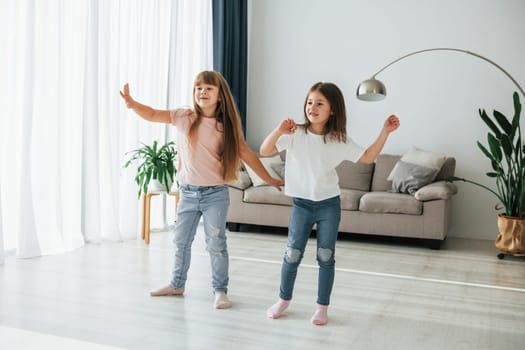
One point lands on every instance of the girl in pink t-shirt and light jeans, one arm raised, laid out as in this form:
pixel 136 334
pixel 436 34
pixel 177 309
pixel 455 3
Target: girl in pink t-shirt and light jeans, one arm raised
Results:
pixel 210 146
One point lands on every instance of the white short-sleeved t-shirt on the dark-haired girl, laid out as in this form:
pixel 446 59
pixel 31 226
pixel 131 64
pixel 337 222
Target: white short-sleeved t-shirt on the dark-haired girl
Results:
pixel 310 164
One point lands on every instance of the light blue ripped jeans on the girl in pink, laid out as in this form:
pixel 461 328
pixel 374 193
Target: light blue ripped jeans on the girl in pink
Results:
pixel 210 202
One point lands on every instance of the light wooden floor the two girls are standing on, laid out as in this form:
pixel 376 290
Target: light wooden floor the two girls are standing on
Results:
pixel 386 296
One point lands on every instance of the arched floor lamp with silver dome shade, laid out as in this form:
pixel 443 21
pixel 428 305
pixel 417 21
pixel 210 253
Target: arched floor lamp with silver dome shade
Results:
pixel 374 90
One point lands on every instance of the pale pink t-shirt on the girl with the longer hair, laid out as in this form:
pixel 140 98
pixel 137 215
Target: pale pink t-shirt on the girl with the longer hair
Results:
pixel 203 167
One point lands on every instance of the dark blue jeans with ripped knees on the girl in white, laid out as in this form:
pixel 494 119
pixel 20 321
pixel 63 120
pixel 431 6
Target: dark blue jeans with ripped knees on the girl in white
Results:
pixel 305 213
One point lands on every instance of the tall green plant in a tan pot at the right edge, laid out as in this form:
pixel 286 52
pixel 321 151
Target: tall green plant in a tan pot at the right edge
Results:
pixel 506 153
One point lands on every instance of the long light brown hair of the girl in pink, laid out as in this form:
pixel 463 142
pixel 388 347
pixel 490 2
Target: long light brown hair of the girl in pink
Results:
pixel 227 115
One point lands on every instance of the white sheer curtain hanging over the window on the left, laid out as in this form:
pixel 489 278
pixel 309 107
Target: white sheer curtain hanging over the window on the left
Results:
pixel 65 131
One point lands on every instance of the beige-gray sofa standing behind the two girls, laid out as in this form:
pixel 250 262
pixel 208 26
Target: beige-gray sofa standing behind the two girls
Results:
pixel 368 205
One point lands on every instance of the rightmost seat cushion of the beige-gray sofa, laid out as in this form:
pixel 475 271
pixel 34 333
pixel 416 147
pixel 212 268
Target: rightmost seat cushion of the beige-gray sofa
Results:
pixel 385 202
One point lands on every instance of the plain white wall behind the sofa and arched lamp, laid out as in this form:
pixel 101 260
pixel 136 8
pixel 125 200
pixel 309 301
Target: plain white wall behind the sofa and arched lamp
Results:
pixel 294 43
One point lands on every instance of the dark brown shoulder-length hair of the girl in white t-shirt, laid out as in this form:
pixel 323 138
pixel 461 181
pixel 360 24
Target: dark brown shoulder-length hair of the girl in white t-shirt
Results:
pixel 335 127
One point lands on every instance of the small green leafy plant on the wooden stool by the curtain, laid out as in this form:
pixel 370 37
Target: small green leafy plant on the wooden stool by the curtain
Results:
pixel 155 164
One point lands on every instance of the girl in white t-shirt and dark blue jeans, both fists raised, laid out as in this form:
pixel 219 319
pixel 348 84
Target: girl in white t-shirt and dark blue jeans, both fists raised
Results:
pixel 313 151
